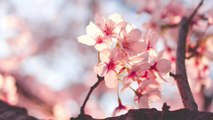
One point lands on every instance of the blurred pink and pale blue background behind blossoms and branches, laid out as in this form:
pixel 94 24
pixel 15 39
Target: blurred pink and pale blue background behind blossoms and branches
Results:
pixel 44 69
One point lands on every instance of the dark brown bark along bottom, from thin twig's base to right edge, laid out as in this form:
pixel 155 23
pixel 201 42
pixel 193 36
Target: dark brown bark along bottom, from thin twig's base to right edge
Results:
pixel 153 114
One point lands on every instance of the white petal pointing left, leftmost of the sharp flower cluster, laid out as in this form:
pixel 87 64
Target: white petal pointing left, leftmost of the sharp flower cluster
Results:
pixel 86 39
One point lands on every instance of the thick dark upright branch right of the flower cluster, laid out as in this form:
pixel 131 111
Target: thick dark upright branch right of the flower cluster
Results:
pixel 182 82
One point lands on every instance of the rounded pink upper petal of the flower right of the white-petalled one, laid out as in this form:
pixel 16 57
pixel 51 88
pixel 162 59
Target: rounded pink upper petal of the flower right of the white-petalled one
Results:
pixel 134 35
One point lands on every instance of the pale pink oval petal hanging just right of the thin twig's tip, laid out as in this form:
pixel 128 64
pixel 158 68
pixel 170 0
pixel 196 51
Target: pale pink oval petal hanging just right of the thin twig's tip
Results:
pixel 111 79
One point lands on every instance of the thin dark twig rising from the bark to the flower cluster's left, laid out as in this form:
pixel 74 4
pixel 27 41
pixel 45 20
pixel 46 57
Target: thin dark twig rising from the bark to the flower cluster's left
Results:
pixel 100 79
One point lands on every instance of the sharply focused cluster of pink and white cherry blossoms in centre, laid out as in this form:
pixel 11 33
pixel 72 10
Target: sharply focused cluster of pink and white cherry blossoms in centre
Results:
pixel 126 56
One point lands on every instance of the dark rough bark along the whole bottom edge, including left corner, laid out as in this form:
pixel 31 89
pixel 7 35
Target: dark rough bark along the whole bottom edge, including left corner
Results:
pixel 8 112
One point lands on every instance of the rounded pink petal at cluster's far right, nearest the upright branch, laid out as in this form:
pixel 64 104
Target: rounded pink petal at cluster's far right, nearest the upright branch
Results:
pixel 163 66
